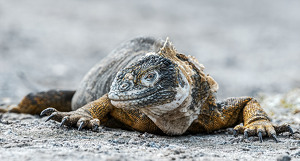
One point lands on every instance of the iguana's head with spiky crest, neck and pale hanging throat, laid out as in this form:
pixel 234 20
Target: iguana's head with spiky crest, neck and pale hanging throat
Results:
pixel 166 86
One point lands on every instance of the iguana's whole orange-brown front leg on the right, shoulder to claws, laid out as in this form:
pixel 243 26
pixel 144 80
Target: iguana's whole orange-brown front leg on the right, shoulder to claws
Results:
pixel 244 110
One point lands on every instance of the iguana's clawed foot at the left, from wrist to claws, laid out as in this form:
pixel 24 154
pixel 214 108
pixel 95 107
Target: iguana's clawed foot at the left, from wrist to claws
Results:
pixel 78 118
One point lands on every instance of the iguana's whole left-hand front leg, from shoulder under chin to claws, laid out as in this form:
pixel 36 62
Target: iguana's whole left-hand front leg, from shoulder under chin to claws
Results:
pixel 95 113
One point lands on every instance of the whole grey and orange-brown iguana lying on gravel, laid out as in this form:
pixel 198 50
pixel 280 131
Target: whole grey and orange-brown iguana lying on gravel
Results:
pixel 147 86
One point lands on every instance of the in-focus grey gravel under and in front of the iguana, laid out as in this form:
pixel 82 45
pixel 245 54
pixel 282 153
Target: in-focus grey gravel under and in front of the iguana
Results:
pixel 31 138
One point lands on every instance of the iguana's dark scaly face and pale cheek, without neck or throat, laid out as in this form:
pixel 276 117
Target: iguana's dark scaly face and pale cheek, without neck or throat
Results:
pixel 153 80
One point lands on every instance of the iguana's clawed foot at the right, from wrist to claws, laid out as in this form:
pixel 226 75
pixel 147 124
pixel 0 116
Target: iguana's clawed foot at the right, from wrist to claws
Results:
pixel 262 128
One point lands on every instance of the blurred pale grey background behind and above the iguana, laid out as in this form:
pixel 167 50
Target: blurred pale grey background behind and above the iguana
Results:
pixel 249 47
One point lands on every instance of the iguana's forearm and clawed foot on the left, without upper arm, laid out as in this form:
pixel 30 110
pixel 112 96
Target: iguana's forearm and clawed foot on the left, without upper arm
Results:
pixel 88 116
